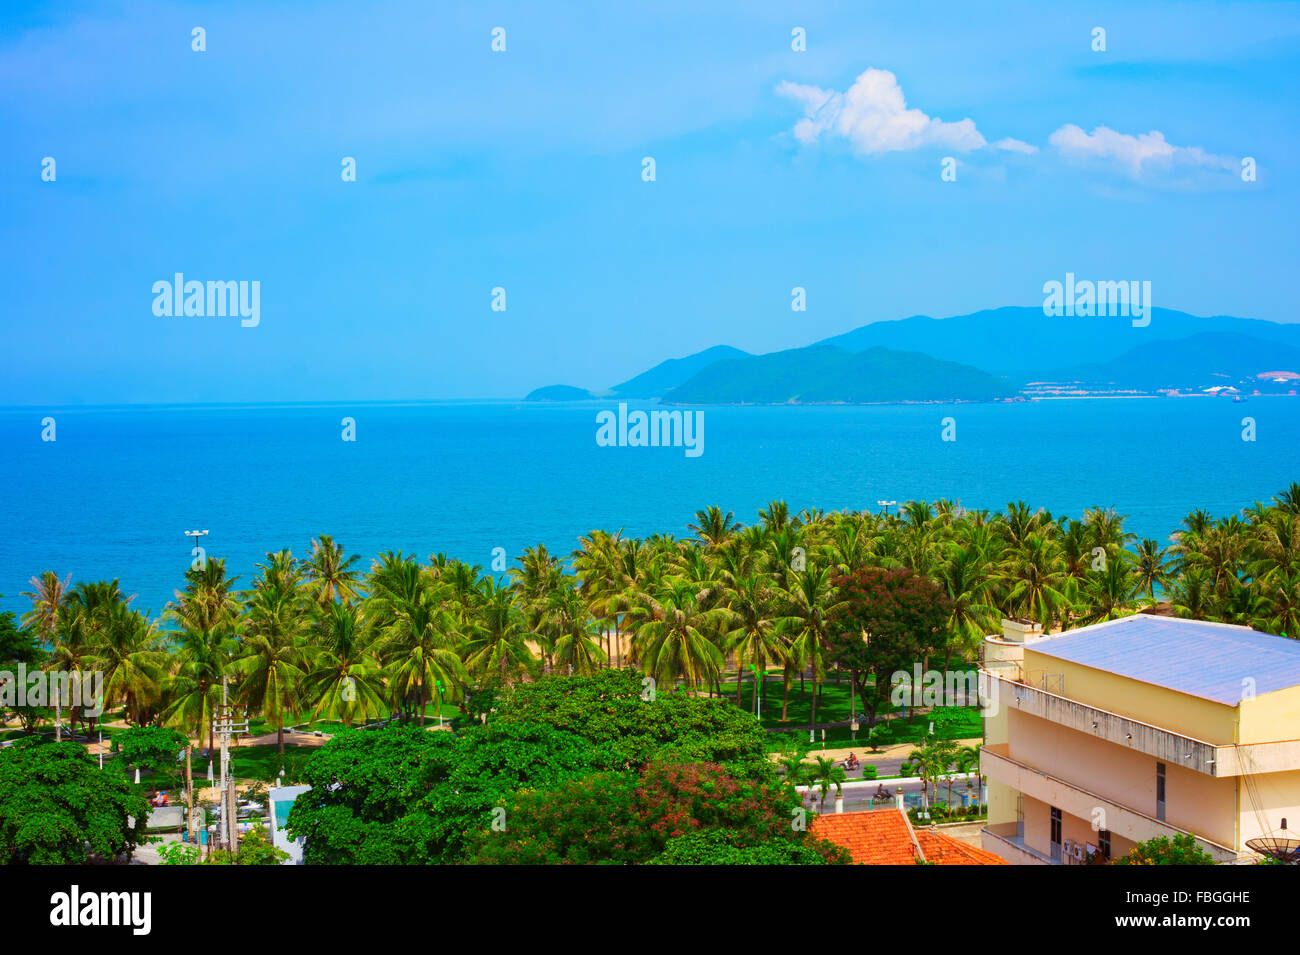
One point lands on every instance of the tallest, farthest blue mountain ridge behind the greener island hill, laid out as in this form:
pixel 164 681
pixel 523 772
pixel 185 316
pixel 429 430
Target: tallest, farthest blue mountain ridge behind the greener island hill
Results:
pixel 1021 342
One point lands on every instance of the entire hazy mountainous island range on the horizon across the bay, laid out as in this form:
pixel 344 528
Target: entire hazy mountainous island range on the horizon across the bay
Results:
pixel 1003 354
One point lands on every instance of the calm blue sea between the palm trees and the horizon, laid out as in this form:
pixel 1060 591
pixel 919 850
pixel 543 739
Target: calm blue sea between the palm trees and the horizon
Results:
pixel 114 494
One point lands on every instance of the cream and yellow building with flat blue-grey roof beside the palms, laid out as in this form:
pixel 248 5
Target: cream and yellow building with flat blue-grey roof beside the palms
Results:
pixel 1112 735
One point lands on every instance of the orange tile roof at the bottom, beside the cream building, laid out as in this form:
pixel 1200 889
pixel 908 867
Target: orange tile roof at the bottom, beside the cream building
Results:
pixel 886 837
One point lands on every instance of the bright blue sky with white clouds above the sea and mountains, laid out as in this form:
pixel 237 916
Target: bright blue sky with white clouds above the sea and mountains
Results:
pixel 523 170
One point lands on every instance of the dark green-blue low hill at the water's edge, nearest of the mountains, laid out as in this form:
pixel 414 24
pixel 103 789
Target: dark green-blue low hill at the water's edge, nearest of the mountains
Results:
pixel 827 375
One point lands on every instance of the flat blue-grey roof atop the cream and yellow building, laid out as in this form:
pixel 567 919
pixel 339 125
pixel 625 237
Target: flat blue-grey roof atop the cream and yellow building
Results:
pixel 1193 657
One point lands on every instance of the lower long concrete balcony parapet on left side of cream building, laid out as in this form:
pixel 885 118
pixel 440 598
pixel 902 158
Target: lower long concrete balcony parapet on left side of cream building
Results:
pixel 1068 797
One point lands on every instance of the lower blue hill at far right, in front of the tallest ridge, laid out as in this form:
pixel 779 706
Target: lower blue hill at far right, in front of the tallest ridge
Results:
pixel 1197 362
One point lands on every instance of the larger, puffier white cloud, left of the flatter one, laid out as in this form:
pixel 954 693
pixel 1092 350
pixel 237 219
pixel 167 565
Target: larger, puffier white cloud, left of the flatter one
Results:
pixel 874 118
